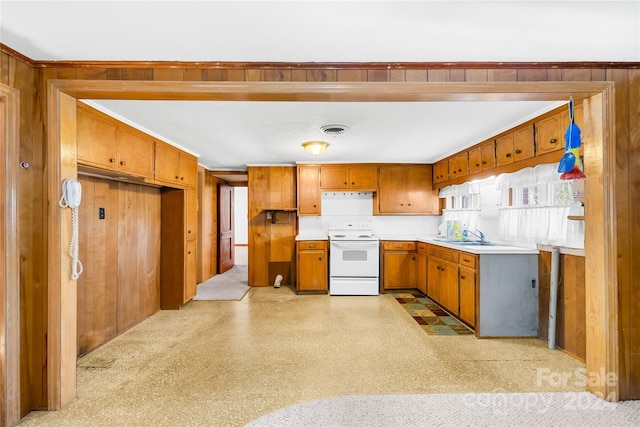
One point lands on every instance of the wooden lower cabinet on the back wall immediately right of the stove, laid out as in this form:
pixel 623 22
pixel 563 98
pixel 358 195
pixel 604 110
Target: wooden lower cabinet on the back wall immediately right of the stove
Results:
pixel 399 265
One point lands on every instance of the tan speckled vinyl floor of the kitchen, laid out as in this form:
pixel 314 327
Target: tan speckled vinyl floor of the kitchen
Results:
pixel 226 363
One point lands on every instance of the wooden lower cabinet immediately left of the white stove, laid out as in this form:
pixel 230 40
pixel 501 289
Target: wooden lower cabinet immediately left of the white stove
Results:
pixel 312 266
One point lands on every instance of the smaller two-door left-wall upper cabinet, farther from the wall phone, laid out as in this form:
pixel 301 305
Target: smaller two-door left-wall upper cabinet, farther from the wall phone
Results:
pixel 175 166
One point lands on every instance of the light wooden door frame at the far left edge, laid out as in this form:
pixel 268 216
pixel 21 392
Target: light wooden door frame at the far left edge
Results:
pixel 9 264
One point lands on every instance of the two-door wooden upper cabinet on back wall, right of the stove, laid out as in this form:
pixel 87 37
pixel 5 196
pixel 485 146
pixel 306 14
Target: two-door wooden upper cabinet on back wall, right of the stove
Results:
pixel 407 189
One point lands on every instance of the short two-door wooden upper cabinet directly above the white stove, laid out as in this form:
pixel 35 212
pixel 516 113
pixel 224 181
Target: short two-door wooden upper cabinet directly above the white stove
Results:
pixel 342 177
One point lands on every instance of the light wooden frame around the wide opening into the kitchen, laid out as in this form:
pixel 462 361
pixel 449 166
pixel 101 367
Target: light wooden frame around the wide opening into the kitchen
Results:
pixel 600 246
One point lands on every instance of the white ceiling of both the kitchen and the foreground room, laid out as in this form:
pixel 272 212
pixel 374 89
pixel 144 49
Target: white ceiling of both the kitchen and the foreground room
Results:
pixel 229 134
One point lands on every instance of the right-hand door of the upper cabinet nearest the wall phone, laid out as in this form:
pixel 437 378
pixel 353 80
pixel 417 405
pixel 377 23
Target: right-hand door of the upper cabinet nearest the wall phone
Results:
pixel 135 153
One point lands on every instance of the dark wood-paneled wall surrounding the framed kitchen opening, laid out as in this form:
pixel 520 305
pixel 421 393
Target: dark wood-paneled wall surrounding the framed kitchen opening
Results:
pixel 30 78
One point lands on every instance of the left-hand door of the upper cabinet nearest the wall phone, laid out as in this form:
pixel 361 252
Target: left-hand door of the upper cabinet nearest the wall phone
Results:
pixel 97 141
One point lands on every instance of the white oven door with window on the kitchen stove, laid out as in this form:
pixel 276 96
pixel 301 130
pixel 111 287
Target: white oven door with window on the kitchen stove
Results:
pixel 354 259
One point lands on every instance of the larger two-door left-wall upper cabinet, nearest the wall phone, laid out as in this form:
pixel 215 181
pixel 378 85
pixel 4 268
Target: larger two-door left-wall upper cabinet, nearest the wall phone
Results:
pixel 105 144
